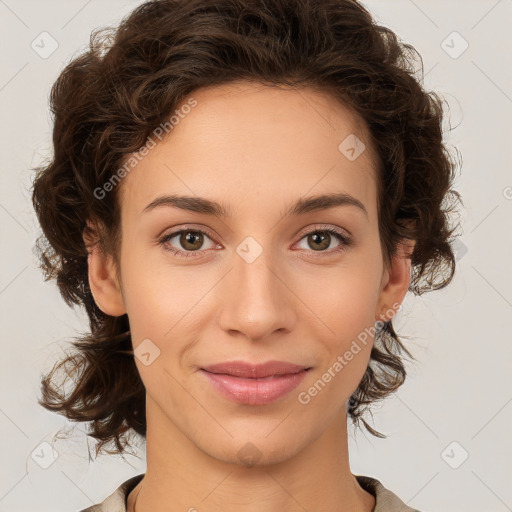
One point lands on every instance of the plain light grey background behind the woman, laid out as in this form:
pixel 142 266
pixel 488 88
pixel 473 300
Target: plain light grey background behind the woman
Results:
pixel 459 391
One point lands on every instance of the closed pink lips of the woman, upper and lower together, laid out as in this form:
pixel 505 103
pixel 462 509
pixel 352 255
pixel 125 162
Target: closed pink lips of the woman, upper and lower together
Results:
pixel 258 384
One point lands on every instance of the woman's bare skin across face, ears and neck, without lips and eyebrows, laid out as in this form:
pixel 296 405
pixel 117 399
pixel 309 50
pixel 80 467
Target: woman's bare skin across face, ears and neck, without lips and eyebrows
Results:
pixel 257 149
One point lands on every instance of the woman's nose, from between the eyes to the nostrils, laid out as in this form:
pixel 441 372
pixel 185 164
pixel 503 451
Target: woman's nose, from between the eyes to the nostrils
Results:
pixel 256 302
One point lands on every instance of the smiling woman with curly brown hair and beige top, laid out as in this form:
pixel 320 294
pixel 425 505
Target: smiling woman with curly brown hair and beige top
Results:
pixel 241 196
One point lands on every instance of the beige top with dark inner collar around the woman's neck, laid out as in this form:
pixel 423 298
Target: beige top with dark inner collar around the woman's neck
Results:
pixel 385 501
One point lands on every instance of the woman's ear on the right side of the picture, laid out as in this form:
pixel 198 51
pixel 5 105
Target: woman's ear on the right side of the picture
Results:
pixel 395 282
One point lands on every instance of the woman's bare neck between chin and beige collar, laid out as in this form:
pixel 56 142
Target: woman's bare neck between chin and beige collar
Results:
pixel 181 475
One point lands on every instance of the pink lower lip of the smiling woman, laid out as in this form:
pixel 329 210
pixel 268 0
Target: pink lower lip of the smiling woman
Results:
pixel 254 391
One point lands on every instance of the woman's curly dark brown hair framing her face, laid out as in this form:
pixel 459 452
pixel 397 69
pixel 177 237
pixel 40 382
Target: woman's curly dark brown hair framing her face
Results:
pixel 108 100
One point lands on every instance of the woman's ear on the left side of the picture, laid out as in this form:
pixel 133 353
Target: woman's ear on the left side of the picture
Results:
pixel 103 280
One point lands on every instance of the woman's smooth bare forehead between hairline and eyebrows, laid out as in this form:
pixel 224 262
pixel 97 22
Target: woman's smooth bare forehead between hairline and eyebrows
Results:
pixel 249 143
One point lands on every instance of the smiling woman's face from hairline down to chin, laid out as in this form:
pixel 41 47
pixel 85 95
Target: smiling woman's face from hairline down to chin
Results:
pixel 261 281
